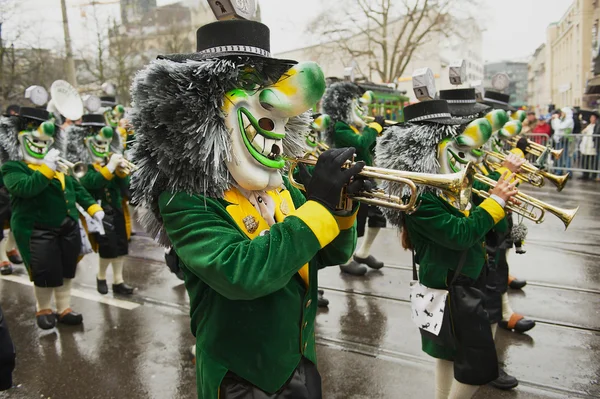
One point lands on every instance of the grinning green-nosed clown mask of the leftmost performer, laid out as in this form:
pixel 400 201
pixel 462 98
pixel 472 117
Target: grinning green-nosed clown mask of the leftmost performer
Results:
pixel 36 140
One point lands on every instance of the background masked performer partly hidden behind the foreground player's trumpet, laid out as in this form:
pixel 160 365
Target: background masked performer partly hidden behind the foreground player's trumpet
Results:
pixel 347 104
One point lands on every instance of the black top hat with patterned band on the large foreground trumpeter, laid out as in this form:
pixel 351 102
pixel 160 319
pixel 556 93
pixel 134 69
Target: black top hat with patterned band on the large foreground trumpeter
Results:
pixel 230 38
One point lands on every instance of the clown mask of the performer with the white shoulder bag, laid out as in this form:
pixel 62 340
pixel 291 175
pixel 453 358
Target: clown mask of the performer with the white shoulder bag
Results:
pixel 454 153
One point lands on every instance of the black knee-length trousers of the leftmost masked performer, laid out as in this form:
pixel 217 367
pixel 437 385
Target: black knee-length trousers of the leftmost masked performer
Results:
pixel 54 253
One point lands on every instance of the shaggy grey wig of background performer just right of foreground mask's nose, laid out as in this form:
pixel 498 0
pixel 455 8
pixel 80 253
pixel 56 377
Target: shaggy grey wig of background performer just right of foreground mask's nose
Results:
pixel 336 103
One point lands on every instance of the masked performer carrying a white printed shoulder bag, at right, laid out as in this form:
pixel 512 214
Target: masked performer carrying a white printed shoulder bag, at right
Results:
pixel 444 238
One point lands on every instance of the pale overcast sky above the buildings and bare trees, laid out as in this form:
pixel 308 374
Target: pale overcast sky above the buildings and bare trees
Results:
pixel 514 28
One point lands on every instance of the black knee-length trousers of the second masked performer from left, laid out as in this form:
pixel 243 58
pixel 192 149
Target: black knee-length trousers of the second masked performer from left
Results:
pixel 114 243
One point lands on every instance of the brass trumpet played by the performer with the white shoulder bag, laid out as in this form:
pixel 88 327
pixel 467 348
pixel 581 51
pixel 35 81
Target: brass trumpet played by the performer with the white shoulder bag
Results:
pixel 527 205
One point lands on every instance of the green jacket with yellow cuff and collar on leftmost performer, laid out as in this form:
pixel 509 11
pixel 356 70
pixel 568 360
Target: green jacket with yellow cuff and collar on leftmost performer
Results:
pixel 41 196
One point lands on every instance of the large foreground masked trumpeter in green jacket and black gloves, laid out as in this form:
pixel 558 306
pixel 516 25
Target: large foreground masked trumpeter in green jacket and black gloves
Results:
pixel 249 243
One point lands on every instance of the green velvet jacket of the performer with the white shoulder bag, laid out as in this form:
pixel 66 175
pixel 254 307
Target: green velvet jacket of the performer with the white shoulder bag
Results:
pixel 439 234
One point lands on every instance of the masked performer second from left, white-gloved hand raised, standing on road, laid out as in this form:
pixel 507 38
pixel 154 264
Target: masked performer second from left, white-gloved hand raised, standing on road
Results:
pixel 106 178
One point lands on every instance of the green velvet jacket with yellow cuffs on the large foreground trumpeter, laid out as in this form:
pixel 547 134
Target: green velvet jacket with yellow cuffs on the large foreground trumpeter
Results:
pixel 253 296
